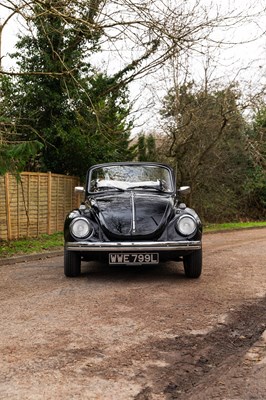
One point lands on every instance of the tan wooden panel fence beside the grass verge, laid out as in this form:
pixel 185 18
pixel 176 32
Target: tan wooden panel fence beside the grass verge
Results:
pixel 35 204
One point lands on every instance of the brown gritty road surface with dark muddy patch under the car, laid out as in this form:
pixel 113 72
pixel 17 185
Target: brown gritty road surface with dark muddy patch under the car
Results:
pixel 138 333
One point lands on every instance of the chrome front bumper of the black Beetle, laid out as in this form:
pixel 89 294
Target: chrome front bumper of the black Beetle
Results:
pixel 134 246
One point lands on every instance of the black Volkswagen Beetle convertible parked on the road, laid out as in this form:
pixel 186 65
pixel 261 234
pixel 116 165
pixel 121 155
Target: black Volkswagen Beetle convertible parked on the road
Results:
pixel 132 215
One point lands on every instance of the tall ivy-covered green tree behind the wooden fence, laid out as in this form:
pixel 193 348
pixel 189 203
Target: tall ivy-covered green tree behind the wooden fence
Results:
pixel 78 114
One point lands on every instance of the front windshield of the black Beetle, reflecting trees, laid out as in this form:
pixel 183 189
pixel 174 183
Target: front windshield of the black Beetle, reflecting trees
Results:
pixel 131 177
